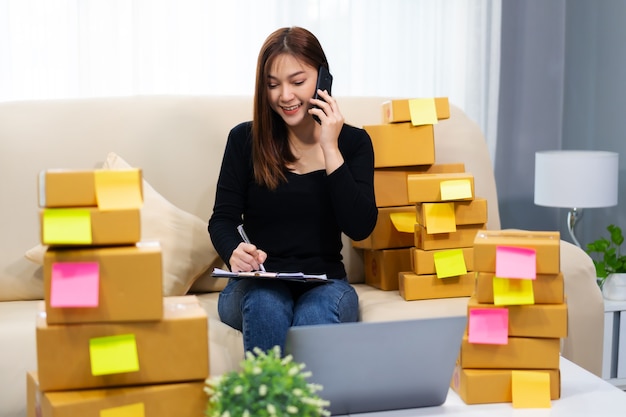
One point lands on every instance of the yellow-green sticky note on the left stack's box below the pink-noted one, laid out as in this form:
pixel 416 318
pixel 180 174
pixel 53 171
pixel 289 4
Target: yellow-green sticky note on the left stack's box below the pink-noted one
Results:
pixel 113 354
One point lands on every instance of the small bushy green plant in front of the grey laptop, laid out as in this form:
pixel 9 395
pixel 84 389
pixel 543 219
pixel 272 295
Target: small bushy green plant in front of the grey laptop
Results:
pixel 268 385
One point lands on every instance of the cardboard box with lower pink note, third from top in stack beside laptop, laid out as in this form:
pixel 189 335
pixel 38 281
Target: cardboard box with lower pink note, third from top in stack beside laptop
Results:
pixel 534 320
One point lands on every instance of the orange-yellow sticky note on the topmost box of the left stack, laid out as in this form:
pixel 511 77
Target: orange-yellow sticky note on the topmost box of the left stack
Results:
pixel 118 189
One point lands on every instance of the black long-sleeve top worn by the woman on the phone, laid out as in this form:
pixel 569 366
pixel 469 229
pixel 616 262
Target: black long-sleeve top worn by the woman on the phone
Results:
pixel 299 224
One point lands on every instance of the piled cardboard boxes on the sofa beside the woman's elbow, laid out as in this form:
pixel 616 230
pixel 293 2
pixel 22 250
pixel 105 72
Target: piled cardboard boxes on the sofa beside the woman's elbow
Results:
pixel 428 215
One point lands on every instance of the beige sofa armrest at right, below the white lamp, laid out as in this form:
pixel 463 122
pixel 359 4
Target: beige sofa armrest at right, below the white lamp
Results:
pixel 583 344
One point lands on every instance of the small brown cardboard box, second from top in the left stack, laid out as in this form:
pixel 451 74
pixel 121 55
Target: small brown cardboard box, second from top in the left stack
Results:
pixel 108 227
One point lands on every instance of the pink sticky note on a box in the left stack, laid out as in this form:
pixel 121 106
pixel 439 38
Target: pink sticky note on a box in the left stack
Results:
pixel 75 284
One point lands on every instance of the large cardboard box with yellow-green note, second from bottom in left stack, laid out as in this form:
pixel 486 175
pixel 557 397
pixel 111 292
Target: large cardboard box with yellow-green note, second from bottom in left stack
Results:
pixel 174 349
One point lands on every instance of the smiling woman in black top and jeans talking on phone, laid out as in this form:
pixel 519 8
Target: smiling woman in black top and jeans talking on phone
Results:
pixel 296 185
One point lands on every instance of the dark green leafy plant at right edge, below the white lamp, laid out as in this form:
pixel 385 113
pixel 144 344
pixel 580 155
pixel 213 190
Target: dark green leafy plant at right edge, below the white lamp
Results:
pixel 606 254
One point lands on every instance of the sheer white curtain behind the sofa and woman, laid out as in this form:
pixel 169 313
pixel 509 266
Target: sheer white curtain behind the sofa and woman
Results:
pixel 398 48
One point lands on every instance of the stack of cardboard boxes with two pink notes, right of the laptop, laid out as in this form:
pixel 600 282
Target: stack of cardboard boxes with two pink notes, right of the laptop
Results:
pixel 516 317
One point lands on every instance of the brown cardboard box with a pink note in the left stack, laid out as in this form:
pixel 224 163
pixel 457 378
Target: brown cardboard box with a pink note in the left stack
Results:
pixel 130 283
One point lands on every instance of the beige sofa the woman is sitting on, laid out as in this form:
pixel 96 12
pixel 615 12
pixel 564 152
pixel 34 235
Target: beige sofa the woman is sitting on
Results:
pixel 178 143
